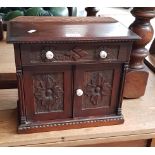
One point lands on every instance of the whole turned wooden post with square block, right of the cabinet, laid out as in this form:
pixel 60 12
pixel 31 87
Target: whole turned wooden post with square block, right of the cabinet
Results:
pixel 137 76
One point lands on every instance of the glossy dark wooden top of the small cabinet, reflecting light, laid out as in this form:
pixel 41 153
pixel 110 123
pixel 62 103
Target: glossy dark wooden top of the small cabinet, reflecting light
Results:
pixel 47 29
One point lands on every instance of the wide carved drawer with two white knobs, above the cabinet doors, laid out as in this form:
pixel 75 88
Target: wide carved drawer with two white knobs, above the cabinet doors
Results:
pixel 73 52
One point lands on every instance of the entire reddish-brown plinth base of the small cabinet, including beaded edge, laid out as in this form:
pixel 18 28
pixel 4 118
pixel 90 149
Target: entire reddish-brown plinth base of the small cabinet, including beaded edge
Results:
pixel 31 127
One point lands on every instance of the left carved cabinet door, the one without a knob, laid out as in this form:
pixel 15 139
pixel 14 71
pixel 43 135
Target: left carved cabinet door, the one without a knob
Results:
pixel 47 92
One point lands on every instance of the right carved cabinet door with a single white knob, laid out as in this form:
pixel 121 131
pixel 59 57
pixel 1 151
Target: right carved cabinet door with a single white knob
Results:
pixel 100 87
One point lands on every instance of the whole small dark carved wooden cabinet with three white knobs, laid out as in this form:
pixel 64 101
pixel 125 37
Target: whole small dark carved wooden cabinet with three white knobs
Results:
pixel 70 71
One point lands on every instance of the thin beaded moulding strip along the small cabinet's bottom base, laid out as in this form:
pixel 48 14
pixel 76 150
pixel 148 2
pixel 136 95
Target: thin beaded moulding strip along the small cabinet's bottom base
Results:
pixel 70 123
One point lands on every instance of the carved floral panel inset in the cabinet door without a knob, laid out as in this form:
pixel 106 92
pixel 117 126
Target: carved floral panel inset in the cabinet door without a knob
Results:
pixel 48 92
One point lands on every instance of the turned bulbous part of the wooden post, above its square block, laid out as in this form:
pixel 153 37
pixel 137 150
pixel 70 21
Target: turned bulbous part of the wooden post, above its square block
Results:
pixel 144 29
